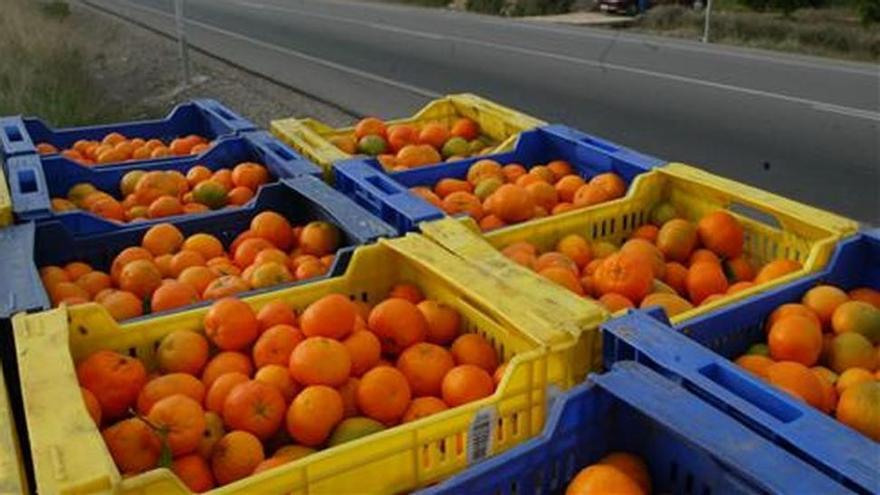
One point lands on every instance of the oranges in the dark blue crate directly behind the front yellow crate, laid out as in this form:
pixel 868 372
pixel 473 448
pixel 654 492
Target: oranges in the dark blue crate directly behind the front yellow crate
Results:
pixel 169 270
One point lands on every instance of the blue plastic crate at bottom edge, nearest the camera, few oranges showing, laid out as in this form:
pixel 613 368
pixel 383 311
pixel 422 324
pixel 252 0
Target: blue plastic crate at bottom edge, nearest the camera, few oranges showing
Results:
pixel 689 447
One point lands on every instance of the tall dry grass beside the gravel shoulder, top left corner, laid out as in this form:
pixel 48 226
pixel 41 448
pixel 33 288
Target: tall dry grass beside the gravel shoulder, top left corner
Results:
pixel 44 67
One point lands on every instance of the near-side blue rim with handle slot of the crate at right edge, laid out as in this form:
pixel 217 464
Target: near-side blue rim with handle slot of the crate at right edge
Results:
pixel 836 450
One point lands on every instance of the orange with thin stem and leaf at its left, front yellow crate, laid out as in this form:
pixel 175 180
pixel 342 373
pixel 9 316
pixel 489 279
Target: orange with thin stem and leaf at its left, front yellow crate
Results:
pixel 181 420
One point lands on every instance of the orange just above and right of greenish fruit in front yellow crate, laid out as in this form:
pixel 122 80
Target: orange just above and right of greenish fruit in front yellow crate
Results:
pixel 384 394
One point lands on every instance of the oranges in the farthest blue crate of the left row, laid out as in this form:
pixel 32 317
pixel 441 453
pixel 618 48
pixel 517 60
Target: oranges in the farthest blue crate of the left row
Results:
pixel 115 147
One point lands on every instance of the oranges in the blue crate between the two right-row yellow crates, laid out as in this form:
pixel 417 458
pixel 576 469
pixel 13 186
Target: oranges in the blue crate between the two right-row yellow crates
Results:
pixel 496 195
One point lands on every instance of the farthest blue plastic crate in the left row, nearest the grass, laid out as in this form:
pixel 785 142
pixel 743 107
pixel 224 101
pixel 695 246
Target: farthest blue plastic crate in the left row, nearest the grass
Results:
pixel 205 117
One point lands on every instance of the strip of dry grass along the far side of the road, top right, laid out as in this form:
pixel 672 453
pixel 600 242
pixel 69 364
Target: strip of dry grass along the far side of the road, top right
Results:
pixel 826 32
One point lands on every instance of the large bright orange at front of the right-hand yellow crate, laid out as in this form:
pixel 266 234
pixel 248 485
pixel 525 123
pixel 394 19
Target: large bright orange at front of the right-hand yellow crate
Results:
pixel 624 274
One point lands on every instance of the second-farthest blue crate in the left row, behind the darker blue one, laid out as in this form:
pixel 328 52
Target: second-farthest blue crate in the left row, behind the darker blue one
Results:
pixel 34 181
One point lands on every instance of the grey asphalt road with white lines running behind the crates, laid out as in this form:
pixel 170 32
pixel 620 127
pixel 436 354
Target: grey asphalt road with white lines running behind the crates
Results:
pixel 804 127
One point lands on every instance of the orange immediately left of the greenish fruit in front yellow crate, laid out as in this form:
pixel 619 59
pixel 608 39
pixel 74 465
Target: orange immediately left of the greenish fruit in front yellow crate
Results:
pixel 313 414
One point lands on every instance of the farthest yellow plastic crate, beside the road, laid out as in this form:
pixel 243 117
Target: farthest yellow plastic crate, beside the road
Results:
pixel 501 124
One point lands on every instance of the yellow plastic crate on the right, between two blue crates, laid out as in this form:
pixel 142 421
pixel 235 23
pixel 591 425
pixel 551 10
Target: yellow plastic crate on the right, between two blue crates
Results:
pixel 774 226
